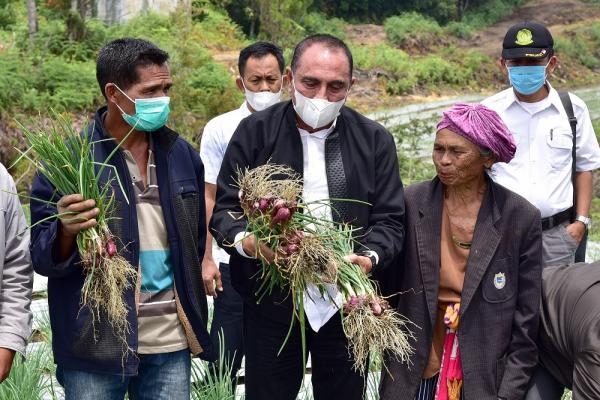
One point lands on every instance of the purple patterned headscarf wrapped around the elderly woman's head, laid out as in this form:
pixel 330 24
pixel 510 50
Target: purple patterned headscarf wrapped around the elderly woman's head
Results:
pixel 482 126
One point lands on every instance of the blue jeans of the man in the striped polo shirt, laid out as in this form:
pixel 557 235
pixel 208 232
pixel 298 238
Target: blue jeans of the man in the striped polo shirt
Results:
pixel 164 376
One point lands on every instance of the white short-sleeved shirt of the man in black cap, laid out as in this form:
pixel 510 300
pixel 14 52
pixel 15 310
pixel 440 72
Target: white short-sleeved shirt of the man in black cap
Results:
pixel 541 168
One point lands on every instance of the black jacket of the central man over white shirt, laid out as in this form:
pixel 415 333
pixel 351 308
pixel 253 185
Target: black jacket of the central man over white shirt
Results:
pixel 372 175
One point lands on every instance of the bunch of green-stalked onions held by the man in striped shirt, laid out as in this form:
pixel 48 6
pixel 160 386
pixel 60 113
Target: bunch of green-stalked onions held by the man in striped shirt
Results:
pixel 66 159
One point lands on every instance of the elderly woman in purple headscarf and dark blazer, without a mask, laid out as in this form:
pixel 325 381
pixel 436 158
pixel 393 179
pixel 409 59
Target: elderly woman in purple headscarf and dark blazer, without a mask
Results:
pixel 470 271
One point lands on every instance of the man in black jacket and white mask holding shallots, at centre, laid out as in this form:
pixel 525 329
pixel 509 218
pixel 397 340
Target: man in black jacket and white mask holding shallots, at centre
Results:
pixel 310 133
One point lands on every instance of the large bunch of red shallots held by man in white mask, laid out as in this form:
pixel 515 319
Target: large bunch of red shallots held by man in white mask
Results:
pixel 312 251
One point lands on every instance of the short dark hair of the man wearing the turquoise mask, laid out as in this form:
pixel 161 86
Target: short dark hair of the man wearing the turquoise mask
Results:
pixel 119 59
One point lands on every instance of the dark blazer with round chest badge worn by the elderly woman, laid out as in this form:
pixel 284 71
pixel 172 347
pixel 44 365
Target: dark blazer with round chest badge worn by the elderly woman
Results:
pixel 498 322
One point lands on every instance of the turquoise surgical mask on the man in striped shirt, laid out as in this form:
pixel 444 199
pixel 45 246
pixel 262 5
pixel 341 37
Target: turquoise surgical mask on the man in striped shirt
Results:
pixel 150 114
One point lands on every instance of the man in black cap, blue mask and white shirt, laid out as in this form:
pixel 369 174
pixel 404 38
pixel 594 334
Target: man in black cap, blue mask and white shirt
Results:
pixel 541 169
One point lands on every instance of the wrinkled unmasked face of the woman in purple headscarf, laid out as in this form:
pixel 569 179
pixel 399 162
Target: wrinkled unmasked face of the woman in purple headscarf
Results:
pixel 457 160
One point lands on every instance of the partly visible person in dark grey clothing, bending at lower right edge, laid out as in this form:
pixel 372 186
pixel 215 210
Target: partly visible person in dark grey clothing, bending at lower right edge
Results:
pixel 569 336
